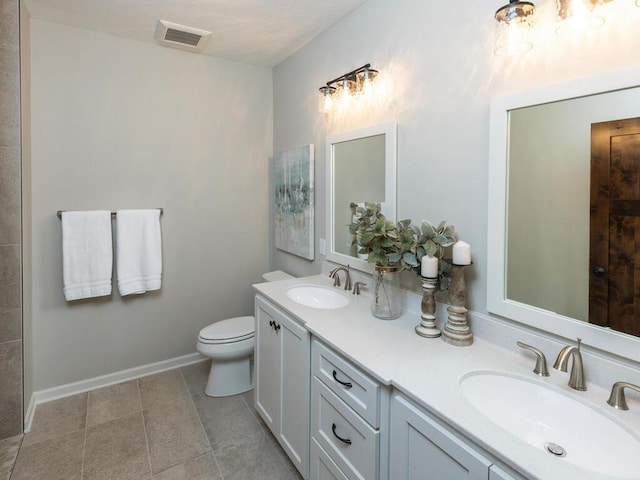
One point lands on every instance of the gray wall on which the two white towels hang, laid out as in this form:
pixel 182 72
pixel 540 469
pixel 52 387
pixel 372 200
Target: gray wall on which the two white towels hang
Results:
pixel 117 123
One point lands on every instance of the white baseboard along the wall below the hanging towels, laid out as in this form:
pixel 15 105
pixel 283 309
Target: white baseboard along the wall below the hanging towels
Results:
pixel 43 396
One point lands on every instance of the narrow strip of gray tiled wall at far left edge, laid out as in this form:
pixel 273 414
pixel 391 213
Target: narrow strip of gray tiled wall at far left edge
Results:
pixel 10 228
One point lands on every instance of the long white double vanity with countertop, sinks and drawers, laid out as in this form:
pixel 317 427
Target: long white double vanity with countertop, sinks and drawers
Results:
pixel 349 396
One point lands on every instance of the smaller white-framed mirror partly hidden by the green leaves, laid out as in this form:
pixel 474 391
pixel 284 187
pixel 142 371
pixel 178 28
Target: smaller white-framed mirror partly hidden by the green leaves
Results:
pixel 361 167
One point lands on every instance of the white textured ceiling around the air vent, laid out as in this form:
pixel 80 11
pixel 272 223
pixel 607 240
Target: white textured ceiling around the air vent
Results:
pixel 260 32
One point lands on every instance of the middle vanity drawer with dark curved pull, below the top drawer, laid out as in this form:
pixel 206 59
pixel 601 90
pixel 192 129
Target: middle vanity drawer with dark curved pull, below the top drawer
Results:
pixel 350 441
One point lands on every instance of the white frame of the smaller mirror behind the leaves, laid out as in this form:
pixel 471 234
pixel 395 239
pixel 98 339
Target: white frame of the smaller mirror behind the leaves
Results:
pixel 388 129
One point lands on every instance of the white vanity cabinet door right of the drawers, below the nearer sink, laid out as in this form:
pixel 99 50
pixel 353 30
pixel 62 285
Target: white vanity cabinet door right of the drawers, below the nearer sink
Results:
pixel 422 448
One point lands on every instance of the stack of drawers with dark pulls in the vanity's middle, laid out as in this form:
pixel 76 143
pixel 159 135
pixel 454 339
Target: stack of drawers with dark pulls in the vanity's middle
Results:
pixel 347 416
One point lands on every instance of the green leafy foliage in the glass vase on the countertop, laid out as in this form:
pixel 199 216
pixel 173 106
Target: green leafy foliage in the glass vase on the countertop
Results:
pixel 401 244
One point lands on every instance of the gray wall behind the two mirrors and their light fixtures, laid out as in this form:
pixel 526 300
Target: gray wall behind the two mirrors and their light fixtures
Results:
pixel 440 74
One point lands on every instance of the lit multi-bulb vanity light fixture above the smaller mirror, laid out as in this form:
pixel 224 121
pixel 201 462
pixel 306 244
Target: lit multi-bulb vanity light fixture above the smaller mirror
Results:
pixel 346 87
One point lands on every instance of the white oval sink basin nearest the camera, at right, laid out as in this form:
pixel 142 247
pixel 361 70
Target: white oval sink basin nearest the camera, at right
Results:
pixel 555 423
